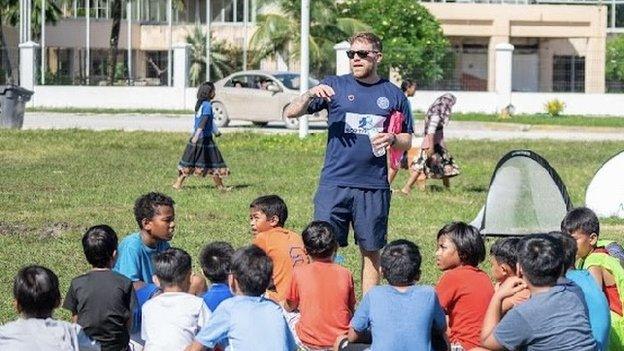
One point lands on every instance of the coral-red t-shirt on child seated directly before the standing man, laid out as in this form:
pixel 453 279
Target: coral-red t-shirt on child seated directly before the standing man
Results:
pixel 326 299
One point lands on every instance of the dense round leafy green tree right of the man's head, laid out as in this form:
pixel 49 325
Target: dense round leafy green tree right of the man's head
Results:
pixel 413 41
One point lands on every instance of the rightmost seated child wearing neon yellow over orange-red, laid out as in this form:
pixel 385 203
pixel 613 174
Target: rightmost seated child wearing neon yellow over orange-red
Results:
pixel 593 255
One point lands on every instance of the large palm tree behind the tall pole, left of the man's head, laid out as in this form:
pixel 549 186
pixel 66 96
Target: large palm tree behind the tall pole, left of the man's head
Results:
pixel 278 34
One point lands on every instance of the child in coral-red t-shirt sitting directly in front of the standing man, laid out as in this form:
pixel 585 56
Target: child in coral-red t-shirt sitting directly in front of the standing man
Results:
pixel 322 291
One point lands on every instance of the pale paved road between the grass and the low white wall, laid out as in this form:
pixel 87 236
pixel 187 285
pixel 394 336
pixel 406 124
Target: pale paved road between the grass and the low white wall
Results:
pixel 180 123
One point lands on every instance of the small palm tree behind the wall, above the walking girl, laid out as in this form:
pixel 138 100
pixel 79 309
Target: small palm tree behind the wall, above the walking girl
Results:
pixel 224 58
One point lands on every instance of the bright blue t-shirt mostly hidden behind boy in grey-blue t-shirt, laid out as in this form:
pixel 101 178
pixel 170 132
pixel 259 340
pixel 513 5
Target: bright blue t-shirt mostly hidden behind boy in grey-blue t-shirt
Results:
pixel 597 305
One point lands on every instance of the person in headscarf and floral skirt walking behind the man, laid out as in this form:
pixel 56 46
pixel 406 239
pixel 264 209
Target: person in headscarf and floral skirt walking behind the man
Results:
pixel 434 161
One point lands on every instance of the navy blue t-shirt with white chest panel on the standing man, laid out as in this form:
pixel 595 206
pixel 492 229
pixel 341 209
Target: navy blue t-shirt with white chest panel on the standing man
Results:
pixel 355 109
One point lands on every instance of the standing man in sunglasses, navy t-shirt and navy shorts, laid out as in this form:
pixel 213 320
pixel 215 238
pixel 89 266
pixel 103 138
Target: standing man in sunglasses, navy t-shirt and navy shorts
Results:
pixel 353 189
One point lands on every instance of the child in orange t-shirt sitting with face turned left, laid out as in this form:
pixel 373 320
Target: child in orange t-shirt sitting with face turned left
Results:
pixel 268 215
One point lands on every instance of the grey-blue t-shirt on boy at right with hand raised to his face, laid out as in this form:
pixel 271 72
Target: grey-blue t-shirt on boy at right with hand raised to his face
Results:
pixel 553 320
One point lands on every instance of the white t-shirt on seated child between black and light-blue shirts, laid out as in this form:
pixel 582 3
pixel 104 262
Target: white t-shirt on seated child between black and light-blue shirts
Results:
pixel 171 320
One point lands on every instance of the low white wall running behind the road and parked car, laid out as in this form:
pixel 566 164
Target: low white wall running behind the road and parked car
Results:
pixel 168 98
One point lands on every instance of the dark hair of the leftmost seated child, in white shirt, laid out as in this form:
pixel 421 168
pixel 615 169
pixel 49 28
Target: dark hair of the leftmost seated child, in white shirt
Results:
pixel 36 290
